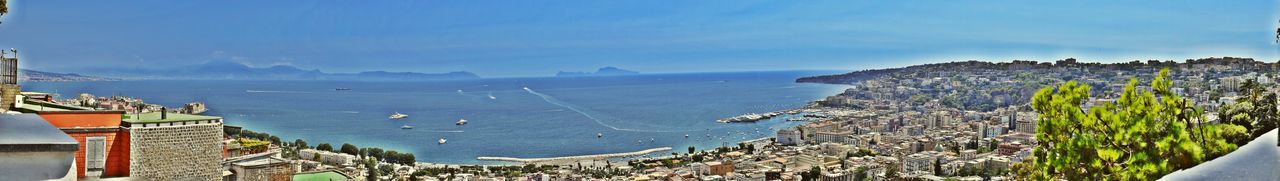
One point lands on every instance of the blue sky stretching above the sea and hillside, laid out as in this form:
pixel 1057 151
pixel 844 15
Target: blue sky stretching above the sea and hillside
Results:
pixel 510 39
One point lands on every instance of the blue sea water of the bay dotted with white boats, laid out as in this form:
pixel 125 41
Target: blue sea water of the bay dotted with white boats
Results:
pixel 554 117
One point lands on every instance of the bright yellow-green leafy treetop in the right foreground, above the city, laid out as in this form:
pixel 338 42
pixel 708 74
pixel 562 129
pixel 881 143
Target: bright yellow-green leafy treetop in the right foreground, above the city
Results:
pixel 1144 135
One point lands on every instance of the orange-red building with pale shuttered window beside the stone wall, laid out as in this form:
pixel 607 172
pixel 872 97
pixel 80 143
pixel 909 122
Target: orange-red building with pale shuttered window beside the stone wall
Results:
pixel 104 150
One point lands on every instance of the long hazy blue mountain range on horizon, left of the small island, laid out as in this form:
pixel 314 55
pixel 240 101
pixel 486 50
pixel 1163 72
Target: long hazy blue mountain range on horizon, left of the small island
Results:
pixel 239 71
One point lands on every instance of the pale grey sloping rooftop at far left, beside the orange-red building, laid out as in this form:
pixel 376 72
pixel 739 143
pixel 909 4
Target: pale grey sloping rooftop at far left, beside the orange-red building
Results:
pixel 30 133
